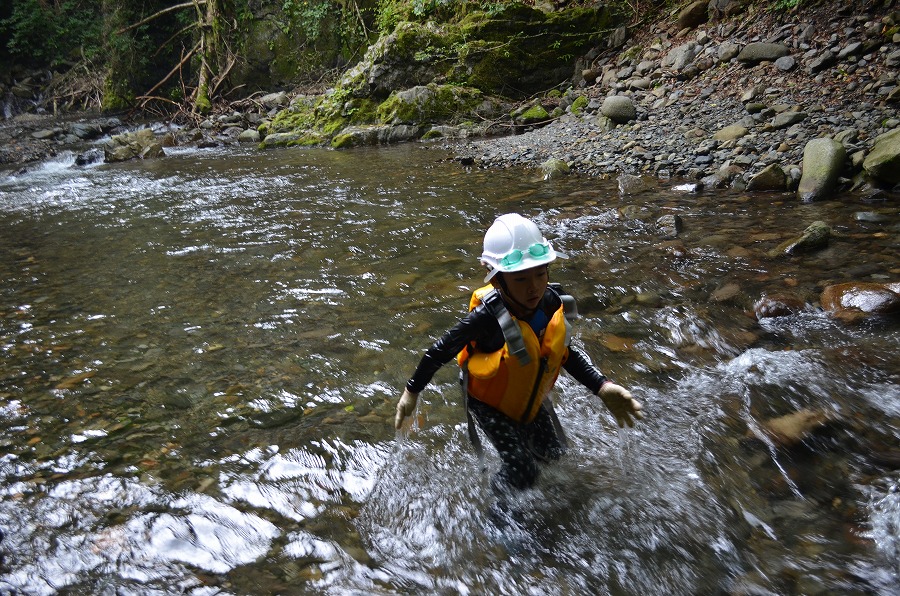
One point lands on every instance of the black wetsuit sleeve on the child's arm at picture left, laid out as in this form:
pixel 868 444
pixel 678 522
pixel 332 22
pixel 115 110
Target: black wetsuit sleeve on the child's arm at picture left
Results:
pixel 479 326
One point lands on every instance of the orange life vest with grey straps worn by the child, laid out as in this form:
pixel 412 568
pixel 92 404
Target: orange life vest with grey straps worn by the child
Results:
pixel 516 378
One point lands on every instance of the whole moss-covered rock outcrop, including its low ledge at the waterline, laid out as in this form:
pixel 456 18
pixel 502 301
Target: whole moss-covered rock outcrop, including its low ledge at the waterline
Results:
pixel 423 74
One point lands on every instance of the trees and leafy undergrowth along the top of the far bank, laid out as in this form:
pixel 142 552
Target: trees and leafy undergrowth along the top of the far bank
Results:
pixel 169 54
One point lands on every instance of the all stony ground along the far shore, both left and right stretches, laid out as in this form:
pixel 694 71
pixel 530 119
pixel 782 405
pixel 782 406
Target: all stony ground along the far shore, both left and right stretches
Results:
pixel 717 98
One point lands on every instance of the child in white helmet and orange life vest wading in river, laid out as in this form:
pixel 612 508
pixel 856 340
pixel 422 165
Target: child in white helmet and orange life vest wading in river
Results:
pixel 510 348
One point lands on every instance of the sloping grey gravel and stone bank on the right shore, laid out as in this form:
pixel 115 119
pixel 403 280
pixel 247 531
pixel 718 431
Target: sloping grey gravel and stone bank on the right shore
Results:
pixel 719 103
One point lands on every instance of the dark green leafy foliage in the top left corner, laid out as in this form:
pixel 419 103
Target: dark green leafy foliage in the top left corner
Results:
pixel 52 33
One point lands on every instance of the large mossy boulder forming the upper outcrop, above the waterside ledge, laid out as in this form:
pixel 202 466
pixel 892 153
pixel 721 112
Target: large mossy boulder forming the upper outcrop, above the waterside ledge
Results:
pixel 515 52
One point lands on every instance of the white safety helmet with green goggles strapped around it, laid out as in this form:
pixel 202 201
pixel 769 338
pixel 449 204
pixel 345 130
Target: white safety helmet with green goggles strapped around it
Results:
pixel 514 243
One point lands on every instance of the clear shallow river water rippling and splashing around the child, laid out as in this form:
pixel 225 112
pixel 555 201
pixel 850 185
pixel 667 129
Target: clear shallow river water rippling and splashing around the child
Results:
pixel 202 354
